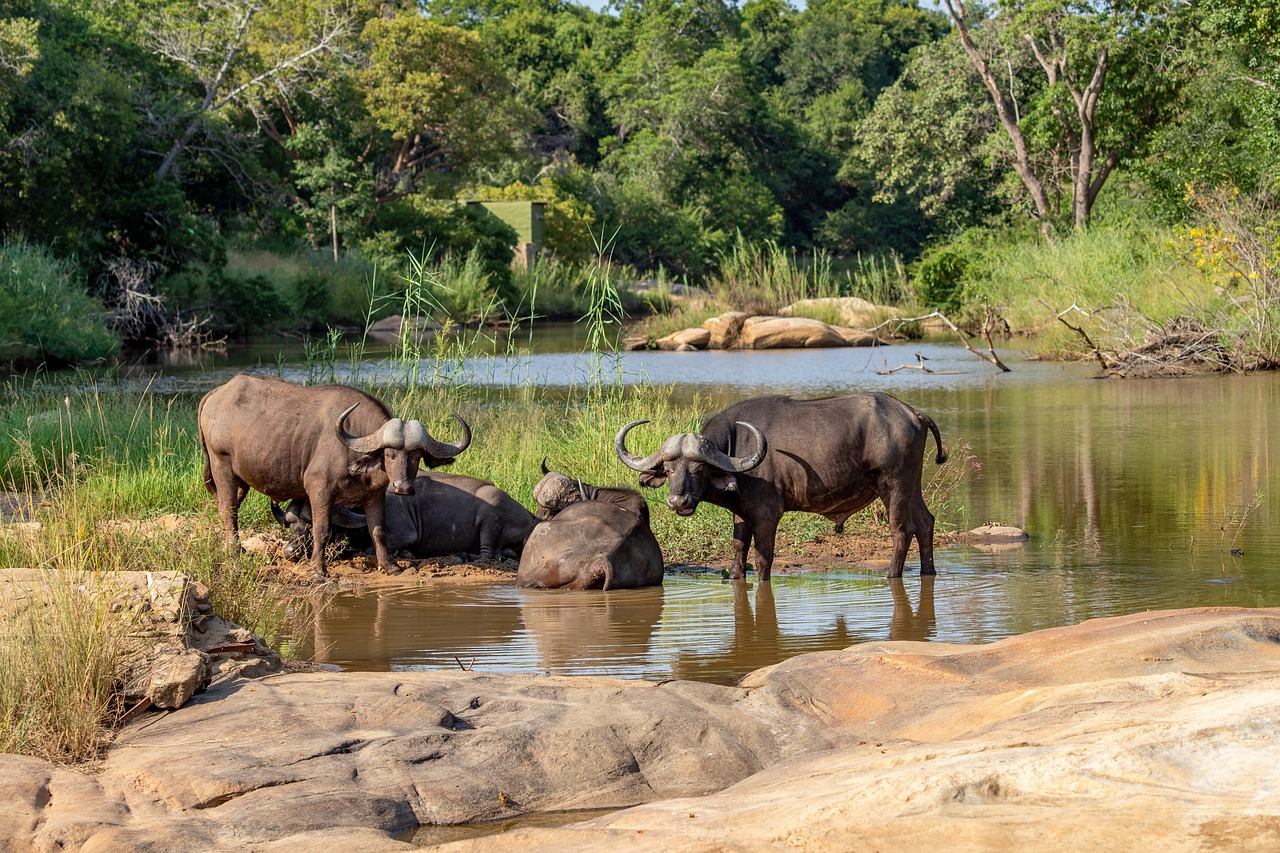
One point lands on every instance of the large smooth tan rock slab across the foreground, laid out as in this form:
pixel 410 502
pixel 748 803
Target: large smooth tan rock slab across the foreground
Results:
pixel 1154 732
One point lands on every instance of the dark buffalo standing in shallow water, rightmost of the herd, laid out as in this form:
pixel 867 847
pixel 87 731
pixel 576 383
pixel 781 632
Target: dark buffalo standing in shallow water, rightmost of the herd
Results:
pixel 771 455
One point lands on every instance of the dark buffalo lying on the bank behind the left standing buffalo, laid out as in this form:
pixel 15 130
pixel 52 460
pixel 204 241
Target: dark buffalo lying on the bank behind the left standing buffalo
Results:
pixel 449 514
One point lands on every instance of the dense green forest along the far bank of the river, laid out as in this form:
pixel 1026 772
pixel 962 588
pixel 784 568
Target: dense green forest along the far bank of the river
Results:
pixel 152 149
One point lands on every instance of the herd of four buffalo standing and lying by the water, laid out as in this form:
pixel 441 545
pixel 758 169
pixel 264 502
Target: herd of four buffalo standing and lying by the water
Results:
pixel 336 457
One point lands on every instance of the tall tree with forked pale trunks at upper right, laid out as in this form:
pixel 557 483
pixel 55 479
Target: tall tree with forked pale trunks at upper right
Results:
pixel 1071 131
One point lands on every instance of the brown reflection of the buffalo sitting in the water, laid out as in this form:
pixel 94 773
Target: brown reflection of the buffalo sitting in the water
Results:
pixel 591 627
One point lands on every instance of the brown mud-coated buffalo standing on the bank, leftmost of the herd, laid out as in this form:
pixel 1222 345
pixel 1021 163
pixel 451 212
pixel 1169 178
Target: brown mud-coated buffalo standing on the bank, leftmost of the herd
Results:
pixel 290 443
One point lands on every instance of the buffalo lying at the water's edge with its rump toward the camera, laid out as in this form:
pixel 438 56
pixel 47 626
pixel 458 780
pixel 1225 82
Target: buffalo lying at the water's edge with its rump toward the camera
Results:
pixel 593 539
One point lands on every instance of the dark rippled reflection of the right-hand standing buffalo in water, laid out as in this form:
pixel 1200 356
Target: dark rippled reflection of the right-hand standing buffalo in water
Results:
pixel 757 641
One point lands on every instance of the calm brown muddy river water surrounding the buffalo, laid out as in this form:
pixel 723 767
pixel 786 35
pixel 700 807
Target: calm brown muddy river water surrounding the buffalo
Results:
pixel 1137 495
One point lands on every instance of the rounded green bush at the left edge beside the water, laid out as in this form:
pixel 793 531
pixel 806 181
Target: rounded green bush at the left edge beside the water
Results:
pixel 45 313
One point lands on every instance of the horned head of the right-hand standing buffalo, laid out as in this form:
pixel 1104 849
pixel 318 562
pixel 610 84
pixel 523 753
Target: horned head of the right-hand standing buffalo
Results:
pixel 692 463
